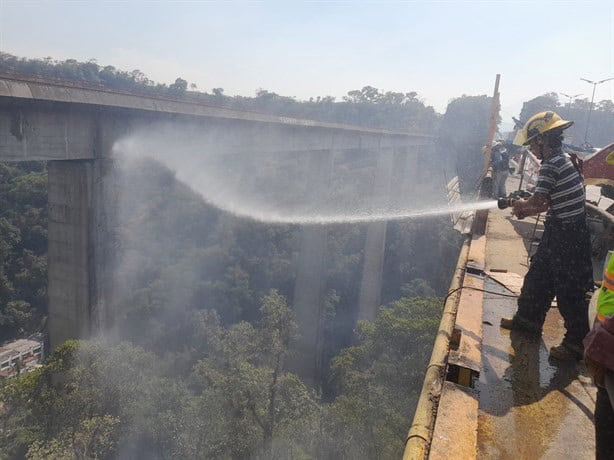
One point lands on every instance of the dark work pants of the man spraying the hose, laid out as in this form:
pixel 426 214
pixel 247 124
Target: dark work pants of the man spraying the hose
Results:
pixel 561 267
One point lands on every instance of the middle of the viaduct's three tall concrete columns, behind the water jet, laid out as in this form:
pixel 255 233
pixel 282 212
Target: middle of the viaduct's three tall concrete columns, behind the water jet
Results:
pixel 309 284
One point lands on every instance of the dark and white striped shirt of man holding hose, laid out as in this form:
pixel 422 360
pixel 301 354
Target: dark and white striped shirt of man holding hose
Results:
pixel 560 180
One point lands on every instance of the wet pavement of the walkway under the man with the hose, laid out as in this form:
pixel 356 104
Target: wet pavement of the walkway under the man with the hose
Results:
pixel 529 407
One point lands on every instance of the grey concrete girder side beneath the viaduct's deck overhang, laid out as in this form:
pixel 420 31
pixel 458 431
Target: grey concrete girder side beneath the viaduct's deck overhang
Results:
pixel 62 132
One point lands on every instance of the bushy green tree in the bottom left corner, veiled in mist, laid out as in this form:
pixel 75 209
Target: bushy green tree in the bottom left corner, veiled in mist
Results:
pixel 91 399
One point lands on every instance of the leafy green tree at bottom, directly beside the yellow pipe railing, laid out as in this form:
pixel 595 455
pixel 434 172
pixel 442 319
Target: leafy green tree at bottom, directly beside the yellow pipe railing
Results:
pixel 379 379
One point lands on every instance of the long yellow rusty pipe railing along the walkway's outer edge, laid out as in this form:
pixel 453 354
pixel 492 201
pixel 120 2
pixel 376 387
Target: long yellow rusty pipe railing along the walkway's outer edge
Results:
pixel 421 431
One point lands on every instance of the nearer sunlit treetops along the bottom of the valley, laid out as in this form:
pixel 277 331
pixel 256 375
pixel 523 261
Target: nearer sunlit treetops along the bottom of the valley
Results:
pixel 94 400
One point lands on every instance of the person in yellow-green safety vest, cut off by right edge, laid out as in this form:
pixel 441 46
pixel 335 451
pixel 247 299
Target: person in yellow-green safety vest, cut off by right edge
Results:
pixel 599 359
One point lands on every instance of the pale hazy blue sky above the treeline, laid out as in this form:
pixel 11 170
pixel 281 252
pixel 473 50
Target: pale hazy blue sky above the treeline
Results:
pixel 440 49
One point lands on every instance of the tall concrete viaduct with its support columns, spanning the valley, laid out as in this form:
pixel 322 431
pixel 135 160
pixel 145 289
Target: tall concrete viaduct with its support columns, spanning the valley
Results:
pixel 73 128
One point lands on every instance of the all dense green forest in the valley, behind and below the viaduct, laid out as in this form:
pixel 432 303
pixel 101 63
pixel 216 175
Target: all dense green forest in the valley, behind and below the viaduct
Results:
pixel 196 363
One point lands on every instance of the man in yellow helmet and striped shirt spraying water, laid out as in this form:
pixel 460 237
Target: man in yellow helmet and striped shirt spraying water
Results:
pixel 562 265
